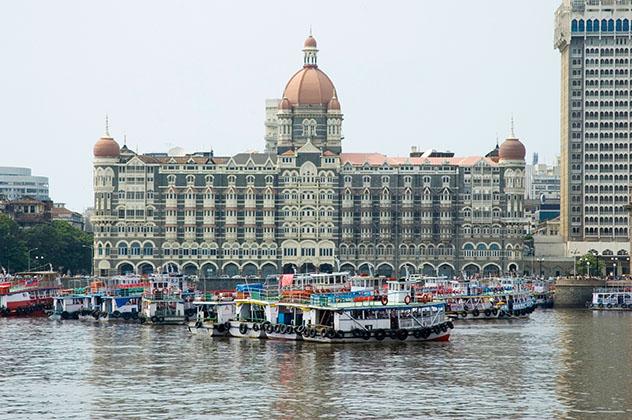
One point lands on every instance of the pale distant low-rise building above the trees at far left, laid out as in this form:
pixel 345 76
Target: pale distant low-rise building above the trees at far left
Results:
pixel 16 183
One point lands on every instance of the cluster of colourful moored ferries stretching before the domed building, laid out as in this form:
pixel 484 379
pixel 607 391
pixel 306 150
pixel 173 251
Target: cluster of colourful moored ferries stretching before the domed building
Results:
pixel 317 307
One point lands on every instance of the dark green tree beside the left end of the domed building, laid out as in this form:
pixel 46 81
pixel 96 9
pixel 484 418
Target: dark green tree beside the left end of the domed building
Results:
pixel 65 247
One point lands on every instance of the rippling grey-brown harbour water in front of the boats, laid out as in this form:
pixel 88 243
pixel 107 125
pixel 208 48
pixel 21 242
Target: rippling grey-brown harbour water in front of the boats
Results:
pixel 558 364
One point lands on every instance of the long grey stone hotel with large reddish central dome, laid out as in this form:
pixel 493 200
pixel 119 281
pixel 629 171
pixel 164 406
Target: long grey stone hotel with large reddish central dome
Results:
pixel 304 204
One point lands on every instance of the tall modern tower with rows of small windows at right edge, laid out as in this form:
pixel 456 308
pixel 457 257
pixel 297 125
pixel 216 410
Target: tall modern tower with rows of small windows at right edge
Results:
pixel 595 41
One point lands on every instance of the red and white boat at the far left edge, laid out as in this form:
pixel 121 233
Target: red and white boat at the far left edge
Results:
pixel 28 294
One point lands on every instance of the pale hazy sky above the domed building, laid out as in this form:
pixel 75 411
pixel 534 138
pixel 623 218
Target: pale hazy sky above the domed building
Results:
pixel 195 74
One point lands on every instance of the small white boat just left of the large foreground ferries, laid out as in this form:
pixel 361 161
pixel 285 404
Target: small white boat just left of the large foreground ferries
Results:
pixel 212 317
